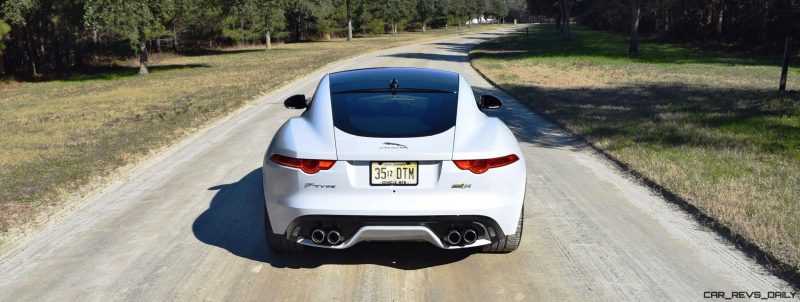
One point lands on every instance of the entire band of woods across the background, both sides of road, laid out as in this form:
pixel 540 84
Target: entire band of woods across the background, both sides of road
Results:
pixel 52 37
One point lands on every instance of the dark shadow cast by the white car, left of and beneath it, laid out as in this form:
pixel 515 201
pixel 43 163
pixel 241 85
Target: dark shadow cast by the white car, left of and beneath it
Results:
pixel 234 221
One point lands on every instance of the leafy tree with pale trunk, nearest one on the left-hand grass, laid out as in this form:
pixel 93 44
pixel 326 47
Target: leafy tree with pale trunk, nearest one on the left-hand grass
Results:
pixel 129 19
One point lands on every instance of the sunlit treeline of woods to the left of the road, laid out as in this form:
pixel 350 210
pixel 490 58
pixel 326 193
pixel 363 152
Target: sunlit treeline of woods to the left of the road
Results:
pixel 41 37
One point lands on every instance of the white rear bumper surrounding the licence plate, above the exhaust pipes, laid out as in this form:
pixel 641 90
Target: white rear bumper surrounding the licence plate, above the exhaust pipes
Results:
pixel 497 195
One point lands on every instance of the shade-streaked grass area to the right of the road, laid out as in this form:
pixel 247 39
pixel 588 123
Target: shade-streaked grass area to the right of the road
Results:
pixel 706 125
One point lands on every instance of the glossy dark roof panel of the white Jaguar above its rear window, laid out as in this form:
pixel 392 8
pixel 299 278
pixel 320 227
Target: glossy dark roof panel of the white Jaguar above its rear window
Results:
pixel 407 78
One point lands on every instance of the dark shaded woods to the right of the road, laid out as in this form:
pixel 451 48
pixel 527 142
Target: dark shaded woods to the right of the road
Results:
pixel 753 26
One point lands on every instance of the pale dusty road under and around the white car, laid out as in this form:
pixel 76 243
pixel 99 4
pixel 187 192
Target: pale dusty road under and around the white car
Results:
pixel 188 225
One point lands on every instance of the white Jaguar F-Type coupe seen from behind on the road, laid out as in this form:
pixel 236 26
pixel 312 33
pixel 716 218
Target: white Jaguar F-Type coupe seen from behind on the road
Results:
pixel 394 154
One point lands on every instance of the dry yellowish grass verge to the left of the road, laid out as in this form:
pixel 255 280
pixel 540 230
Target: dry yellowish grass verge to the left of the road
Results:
pixel 58 136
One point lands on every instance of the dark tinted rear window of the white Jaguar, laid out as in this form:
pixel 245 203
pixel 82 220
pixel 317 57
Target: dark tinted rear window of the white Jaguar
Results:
pixel 406 114
